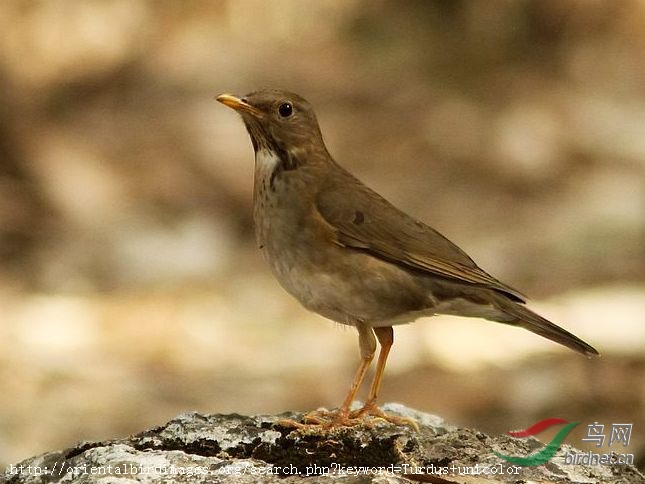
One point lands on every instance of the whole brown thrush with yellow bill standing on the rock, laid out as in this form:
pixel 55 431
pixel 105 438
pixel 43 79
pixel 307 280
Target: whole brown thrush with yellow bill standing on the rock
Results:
pixel 345 252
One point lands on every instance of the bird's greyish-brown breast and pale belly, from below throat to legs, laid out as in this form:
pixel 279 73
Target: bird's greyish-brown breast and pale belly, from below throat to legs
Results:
pixel 340 283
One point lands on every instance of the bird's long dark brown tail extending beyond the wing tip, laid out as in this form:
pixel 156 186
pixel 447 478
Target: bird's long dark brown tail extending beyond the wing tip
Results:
pixel 519 315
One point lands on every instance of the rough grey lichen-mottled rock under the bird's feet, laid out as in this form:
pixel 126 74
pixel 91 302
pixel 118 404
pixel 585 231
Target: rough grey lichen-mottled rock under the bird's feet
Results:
pixel 199 448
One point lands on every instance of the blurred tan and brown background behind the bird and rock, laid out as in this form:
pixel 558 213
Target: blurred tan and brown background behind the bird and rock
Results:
pixel 130 286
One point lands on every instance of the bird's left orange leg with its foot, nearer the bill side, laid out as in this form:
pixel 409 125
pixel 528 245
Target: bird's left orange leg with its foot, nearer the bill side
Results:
pixel 367 344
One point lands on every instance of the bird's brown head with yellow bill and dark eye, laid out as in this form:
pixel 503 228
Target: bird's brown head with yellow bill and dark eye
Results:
pixel 278 121
